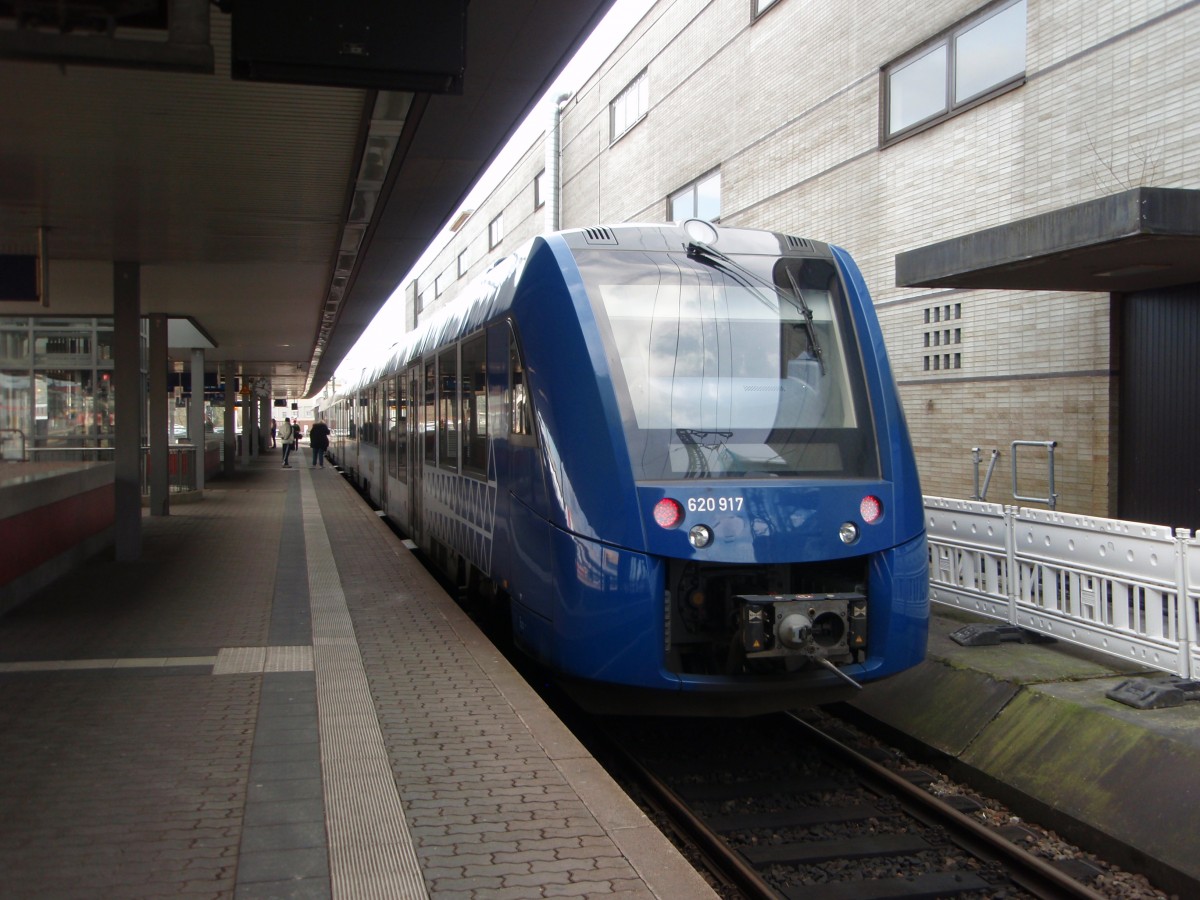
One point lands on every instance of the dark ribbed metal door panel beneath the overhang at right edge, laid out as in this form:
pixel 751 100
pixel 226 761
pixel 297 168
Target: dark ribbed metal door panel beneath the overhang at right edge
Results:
pixel 1160 409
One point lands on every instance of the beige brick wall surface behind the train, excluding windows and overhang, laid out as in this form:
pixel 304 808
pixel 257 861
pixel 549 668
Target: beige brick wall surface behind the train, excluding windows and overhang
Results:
pixel 789 110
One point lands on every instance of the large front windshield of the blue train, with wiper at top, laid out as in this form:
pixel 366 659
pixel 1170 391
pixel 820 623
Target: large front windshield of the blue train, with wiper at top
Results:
pixel 728 376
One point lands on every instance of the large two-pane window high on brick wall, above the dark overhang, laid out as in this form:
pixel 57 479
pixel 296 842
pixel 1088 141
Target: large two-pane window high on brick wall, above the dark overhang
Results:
pixel 974 61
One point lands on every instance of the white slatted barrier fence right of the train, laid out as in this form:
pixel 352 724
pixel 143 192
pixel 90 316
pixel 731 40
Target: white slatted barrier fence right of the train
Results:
pixel 1126 589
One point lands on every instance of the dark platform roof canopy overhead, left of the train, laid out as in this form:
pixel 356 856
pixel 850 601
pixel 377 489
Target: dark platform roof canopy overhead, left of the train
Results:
pixel 275 167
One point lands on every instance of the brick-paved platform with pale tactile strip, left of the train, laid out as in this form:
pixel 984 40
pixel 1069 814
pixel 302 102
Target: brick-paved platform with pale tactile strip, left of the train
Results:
pixel 278 701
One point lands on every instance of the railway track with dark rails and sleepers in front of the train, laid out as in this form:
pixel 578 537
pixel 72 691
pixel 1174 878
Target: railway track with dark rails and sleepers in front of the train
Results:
pixel 782 809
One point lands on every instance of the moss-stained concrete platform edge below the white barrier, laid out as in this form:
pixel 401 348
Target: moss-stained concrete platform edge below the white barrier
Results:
pixel 1034 725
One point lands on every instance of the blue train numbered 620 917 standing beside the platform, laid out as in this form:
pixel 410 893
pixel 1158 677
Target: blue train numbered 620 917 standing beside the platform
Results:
pixel 676 455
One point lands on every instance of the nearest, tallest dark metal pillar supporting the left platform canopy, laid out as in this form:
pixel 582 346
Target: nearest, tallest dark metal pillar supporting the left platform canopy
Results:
pixel 129 407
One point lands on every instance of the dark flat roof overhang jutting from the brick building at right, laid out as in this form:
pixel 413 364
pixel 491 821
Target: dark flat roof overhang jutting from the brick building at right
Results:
pixel 1136 241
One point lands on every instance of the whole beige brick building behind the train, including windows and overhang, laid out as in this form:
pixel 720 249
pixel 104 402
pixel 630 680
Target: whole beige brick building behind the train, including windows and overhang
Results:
pixel 1016 179
